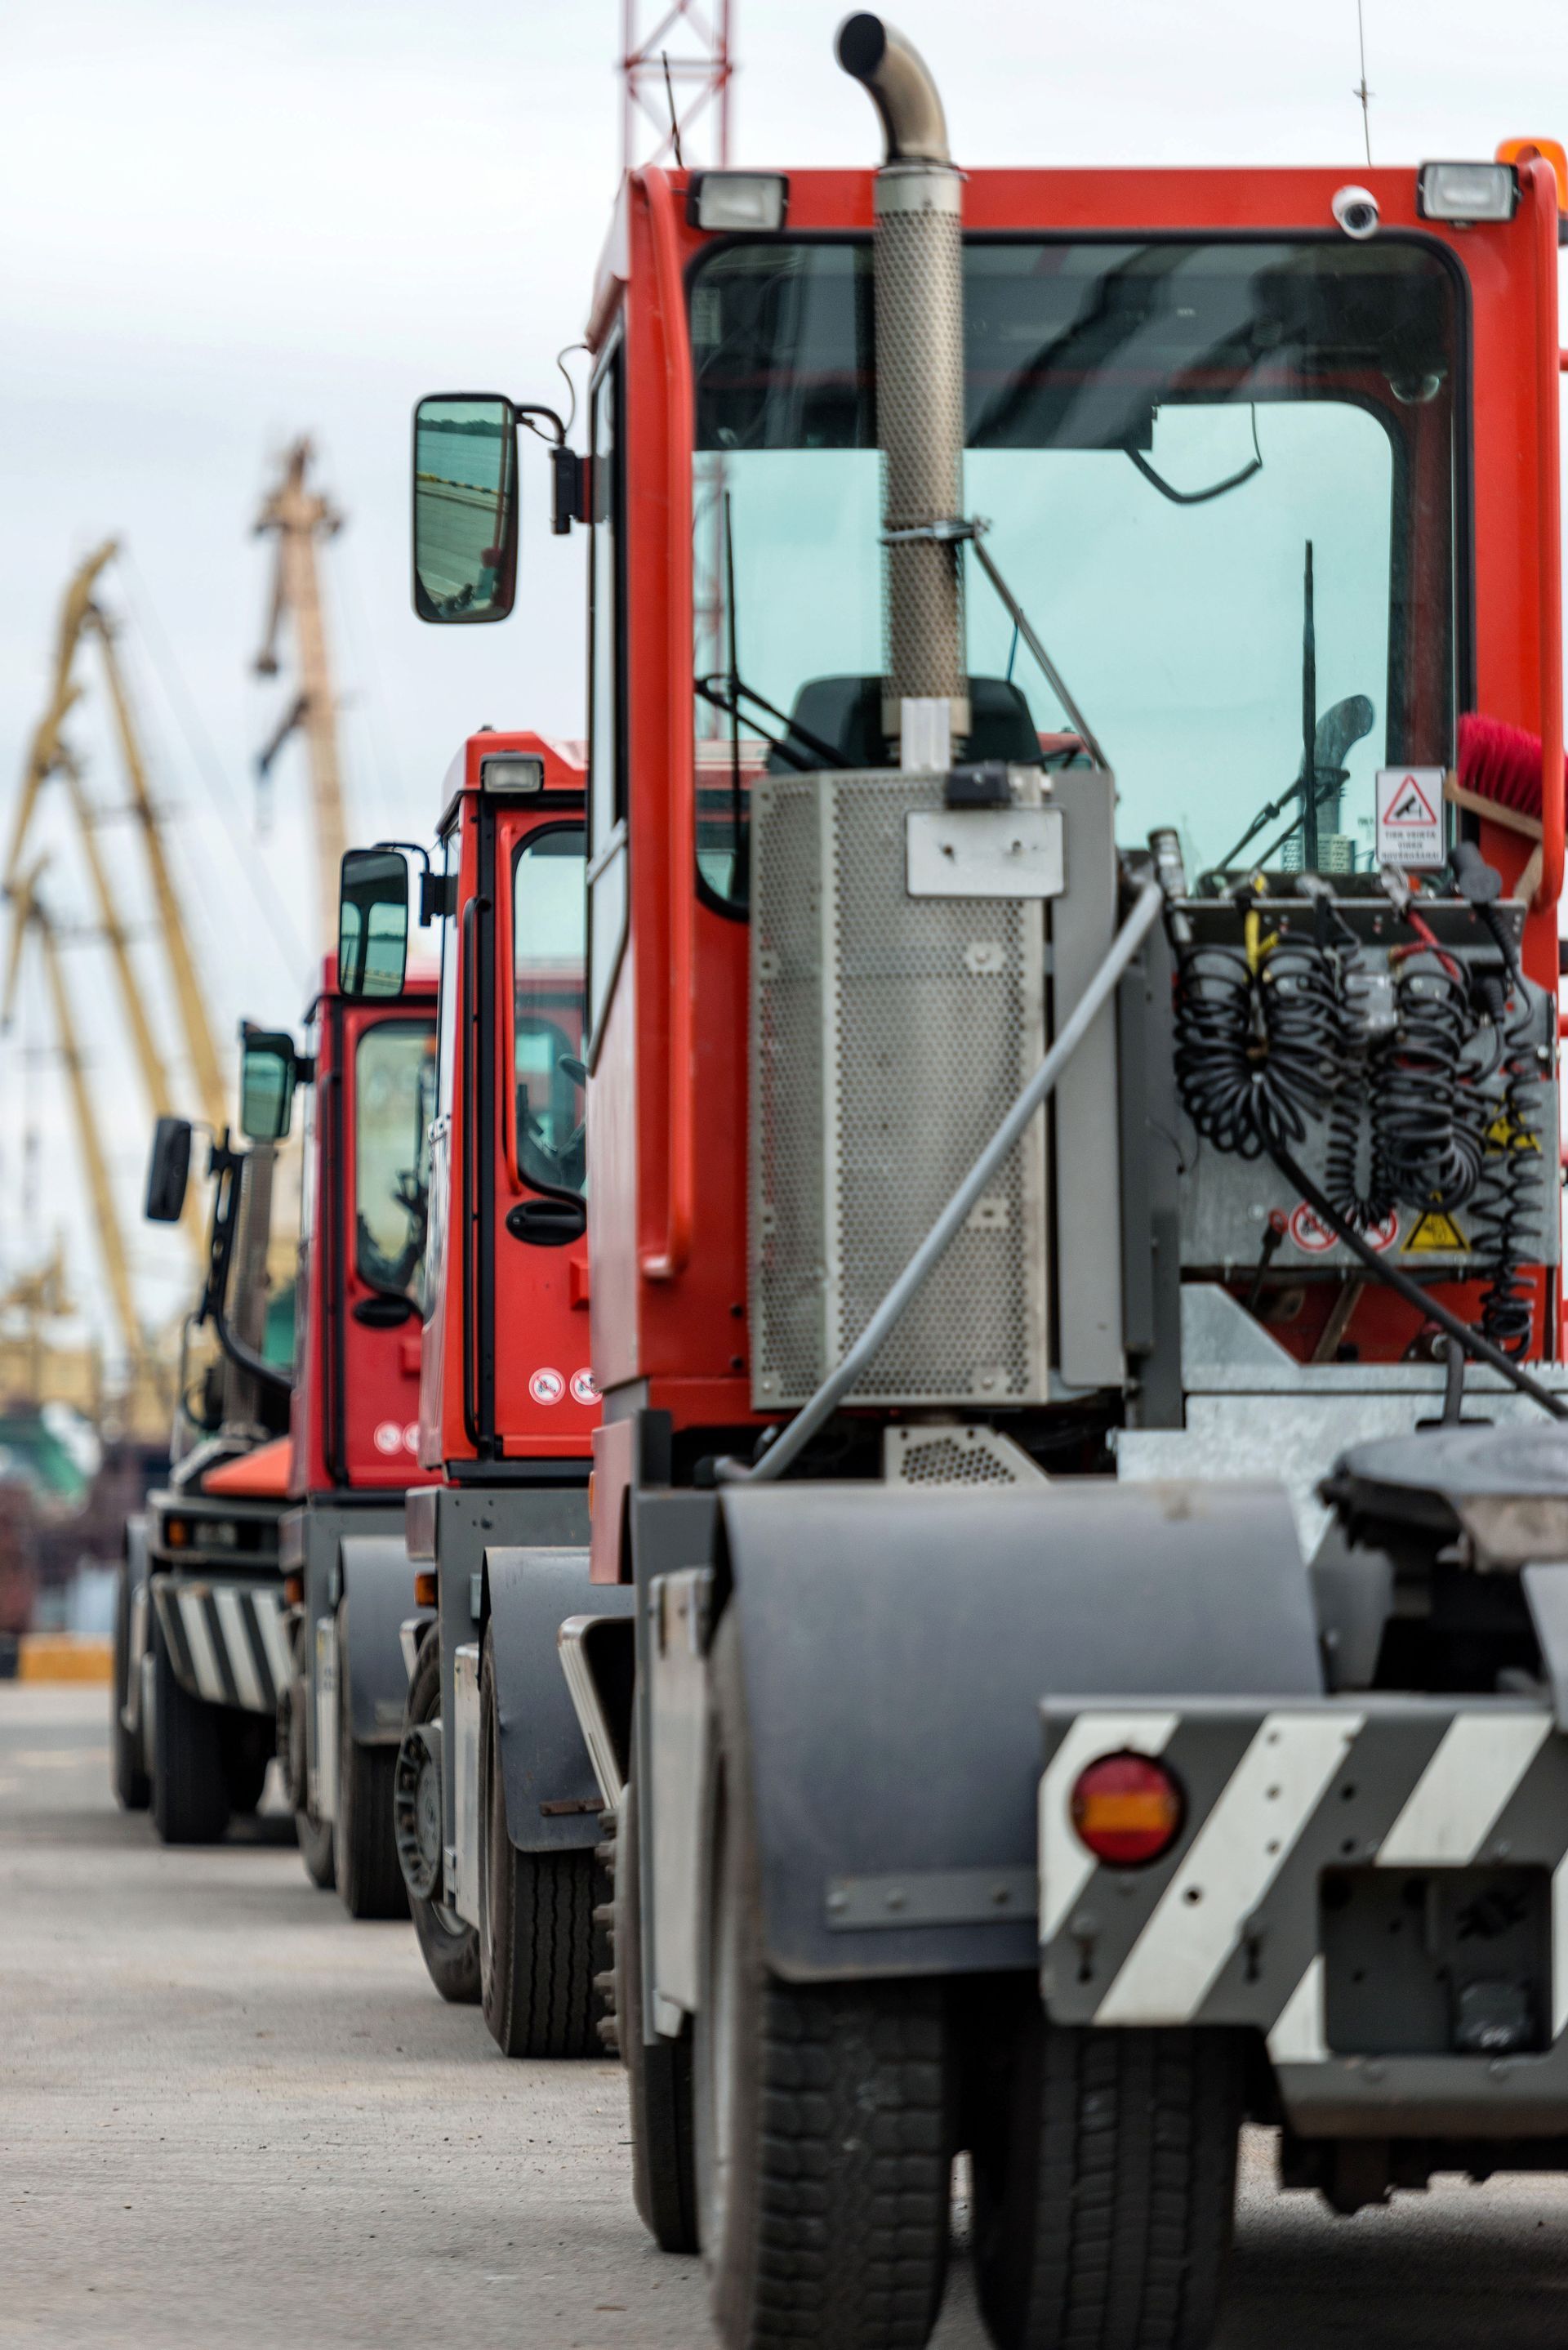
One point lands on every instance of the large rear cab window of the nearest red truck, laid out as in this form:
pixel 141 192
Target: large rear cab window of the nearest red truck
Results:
pixel 1219 481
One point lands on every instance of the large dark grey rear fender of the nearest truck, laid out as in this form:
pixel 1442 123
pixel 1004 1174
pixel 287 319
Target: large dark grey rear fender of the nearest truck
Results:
pixel 894 1656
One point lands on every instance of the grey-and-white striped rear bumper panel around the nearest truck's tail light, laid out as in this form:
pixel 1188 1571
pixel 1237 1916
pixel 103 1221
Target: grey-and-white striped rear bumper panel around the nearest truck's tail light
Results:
pixel 1226 1931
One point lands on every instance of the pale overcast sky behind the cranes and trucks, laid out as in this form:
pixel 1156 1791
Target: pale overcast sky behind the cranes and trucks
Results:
pixel 227 222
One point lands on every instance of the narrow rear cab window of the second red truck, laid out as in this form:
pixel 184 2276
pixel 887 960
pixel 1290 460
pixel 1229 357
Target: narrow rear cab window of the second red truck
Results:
pixel 549 925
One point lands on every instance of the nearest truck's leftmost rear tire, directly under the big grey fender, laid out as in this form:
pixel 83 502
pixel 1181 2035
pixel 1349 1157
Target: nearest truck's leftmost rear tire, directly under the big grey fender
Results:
pixel 824 2154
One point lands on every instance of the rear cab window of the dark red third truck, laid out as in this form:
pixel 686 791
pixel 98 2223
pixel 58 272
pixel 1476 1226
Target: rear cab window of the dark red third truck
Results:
pixel 394 1099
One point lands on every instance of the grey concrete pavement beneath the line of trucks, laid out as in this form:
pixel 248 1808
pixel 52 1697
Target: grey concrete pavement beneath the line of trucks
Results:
pixel 232 2119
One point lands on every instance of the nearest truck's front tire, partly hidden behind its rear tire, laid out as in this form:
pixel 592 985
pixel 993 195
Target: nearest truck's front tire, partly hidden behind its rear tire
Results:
pixel 659 2076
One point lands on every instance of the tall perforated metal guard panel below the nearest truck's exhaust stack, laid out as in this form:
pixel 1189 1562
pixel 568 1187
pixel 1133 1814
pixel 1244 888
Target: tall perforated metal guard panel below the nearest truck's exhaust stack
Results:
pixel 890 1040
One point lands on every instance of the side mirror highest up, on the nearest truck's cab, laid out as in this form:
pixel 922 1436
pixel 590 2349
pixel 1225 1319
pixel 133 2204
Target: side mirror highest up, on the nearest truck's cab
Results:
pixel 464 509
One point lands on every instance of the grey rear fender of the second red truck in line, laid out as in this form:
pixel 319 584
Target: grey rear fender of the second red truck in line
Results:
pixel 551 1792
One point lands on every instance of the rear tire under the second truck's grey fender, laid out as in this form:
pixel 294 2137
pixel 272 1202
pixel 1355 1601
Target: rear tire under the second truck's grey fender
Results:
pixel 537 1935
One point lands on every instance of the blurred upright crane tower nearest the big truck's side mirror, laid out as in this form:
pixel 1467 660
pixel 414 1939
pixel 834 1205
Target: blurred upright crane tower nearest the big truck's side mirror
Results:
pixel 297 516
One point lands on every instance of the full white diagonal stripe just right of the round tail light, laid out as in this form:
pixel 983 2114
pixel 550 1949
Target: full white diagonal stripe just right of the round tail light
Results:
pixel 1228 1869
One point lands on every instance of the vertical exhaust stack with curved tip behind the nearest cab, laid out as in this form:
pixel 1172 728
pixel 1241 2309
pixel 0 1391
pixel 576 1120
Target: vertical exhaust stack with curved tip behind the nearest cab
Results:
pixel 920 394
